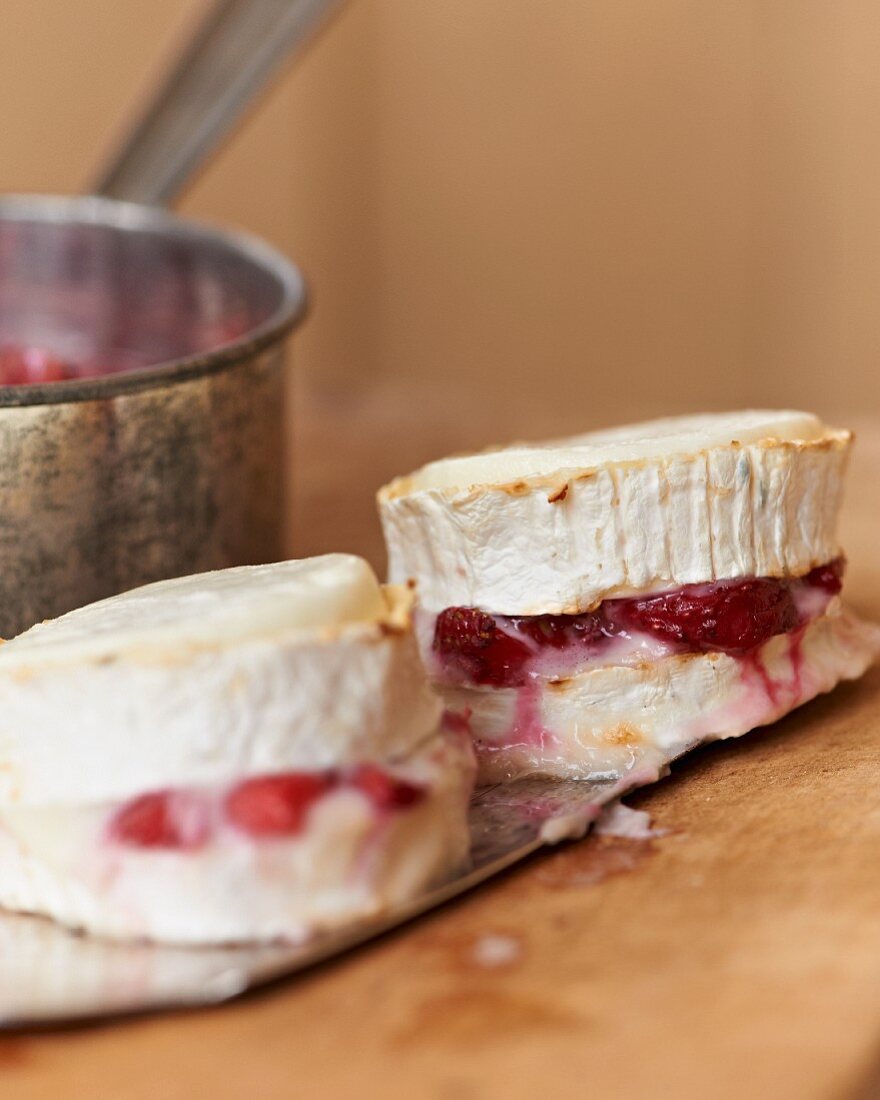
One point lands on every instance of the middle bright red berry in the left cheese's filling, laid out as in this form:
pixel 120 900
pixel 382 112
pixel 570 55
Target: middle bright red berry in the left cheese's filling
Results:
pixel 276 806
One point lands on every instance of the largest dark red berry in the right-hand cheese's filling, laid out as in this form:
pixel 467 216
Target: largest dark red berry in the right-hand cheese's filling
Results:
pixel 730 618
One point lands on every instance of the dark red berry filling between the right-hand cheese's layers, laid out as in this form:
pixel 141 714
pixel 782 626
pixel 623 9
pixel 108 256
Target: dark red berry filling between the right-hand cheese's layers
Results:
pixel 734 618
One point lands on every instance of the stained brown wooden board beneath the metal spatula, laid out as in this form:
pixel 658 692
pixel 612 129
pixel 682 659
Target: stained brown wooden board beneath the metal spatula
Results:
pixel 736 956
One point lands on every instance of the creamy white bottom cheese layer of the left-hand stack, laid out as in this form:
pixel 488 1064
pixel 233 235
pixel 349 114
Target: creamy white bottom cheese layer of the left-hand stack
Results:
pixel 351 862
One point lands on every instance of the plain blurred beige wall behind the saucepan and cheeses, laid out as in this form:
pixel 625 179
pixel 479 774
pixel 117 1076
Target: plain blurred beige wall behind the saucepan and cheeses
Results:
pixel 578 212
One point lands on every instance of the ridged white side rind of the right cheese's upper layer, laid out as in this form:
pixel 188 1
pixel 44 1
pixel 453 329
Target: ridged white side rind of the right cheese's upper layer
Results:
pixel 562 544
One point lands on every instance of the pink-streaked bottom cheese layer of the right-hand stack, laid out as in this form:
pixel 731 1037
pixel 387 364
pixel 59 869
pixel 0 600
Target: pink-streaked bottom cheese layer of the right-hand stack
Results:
pixel 608 721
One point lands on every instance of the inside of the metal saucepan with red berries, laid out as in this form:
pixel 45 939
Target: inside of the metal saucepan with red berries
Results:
pixel 87 301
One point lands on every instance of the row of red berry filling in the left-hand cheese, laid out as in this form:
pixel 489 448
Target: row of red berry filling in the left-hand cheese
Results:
pixel 261 808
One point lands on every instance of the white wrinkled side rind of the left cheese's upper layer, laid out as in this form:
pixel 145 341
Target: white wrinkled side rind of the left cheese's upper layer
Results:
pixel 93 731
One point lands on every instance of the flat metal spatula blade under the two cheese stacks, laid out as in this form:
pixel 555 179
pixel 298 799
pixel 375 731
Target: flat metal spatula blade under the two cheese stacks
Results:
pixel 49 975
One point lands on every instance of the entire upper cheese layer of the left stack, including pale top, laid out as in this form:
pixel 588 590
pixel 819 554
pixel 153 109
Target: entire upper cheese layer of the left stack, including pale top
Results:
pixel 90 719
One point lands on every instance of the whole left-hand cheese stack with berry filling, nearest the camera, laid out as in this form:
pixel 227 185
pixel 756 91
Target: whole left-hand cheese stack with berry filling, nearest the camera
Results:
pixel 252 754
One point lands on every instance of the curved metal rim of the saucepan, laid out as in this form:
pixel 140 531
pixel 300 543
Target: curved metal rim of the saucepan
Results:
pixel 97 211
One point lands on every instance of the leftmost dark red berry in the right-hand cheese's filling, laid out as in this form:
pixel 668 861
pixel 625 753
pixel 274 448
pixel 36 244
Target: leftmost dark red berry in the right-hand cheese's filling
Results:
pixel 475 648
